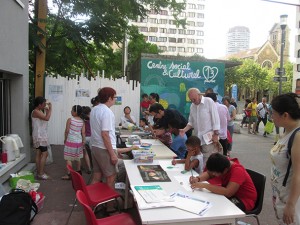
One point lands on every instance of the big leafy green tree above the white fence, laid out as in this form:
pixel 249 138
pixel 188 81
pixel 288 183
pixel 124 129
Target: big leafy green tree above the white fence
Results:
pixel 80 32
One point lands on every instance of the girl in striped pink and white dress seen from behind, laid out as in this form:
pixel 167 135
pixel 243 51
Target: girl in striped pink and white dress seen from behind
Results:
pixel 74 139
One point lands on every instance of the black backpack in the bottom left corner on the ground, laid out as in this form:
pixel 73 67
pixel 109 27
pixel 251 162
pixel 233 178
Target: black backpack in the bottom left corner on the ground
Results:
pixel 17 208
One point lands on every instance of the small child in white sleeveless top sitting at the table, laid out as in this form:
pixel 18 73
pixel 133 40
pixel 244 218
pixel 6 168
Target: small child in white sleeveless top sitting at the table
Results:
pixel 194 158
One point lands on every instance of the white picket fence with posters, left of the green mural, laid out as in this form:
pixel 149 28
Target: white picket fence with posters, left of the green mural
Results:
pixel 64 93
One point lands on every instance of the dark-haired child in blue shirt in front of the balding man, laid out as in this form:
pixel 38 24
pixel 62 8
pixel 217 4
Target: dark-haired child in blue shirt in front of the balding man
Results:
pixel 178 143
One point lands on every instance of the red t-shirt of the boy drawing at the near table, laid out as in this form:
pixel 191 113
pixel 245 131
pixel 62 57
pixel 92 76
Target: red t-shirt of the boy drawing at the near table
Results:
pixel 238 174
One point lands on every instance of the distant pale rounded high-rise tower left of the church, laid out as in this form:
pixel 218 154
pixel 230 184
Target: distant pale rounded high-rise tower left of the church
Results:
pixel 238 39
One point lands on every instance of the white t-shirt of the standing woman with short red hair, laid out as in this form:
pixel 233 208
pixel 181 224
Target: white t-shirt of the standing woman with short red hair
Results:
pixel 102 119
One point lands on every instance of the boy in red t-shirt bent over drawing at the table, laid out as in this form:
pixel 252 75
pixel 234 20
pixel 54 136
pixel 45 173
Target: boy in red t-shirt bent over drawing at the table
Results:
pixel 230 179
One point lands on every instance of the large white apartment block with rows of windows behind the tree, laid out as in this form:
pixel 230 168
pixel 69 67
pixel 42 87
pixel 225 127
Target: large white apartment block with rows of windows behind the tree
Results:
pixel 161 29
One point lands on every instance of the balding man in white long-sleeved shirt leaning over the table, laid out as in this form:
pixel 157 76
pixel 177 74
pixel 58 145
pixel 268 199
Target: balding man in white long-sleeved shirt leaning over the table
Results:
pixel 204 118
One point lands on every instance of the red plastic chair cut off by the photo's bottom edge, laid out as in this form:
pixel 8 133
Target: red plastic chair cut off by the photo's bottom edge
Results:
pixel 122 218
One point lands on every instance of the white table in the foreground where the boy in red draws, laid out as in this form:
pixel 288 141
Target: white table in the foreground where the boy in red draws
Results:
pixel 222 210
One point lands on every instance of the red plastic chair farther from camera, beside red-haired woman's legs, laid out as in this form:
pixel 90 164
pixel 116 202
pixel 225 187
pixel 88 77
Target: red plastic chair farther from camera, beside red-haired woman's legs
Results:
pixel 96 194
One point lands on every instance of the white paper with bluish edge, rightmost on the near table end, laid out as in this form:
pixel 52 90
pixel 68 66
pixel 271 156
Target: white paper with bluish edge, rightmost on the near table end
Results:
pixel 190 204
